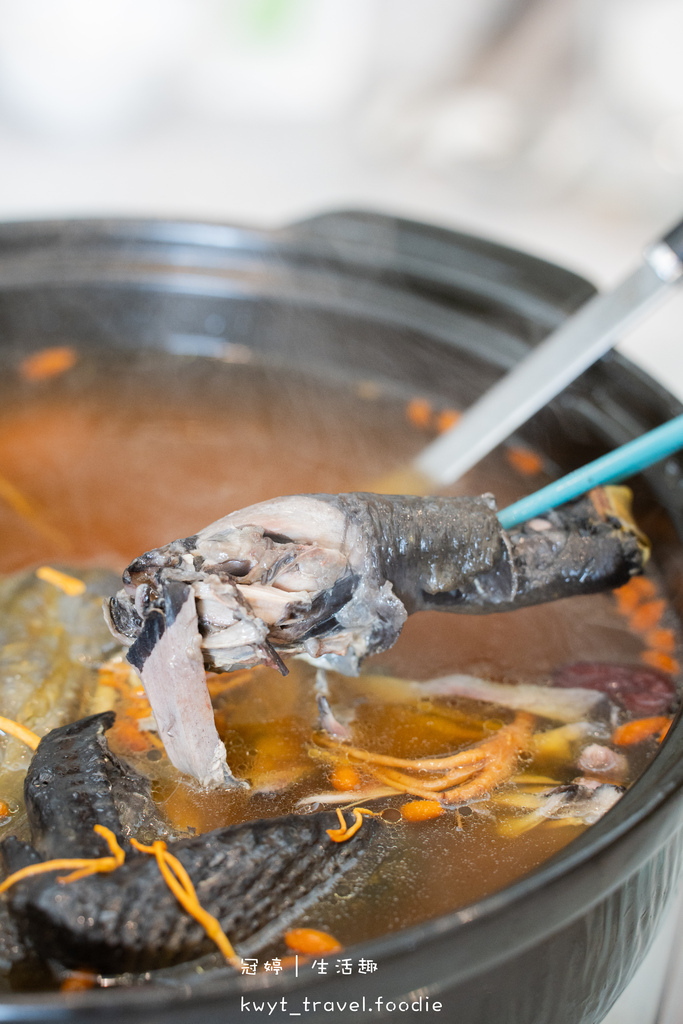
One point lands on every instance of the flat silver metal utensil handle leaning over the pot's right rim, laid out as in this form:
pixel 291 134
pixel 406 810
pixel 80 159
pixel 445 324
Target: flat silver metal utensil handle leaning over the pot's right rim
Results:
pixel 554 364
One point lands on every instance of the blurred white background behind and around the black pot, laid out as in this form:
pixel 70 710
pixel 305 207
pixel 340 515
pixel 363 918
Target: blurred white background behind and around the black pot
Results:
pixel 553 125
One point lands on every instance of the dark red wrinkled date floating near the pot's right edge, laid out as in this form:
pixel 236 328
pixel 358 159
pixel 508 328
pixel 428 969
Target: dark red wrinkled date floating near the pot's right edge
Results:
pixel 636 688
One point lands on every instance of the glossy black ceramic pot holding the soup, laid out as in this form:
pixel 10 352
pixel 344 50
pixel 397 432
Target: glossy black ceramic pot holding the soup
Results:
pixel 446 314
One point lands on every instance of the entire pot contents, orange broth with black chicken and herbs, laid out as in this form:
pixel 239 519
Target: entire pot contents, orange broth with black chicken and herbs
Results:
pixel 241 796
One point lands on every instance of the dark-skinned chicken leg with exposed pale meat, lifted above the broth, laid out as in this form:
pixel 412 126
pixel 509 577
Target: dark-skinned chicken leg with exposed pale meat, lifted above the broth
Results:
pixel 335 577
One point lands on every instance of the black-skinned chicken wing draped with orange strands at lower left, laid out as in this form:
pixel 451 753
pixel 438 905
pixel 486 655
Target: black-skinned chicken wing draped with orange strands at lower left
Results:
pixel 254 878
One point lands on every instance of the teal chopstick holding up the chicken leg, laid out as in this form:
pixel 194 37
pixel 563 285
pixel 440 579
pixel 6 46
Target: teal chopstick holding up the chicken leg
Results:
pixel 617 465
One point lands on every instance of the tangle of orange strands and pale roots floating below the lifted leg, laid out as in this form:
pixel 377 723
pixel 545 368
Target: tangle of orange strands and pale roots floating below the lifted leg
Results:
pixel 484 769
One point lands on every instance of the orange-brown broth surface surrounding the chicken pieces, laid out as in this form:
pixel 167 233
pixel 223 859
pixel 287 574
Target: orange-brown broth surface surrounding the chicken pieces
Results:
pixel 114 455
